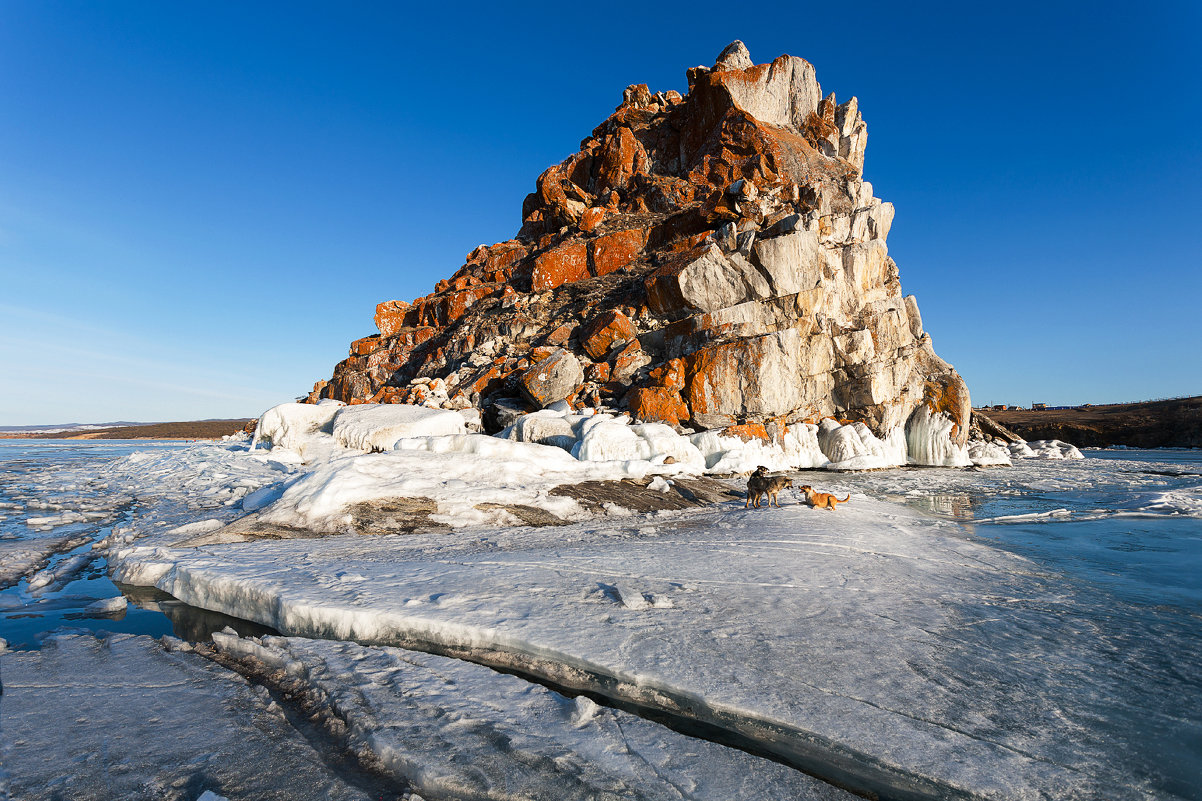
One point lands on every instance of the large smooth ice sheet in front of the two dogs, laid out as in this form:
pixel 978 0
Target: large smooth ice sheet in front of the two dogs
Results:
pixel 868 645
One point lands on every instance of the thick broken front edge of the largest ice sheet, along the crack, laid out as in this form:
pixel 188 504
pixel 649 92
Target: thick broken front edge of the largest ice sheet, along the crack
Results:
pixel 812 753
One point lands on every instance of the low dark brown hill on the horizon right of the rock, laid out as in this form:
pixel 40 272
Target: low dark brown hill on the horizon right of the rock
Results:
pixel 1152 424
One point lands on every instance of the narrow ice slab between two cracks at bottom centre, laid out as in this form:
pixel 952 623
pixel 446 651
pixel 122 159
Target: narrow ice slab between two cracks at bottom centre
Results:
pixel 456 729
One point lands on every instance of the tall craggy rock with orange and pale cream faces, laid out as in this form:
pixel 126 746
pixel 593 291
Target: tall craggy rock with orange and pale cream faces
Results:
pixel 712 260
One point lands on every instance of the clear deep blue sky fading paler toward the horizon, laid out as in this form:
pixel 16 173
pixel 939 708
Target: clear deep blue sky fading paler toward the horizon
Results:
pixel 201 204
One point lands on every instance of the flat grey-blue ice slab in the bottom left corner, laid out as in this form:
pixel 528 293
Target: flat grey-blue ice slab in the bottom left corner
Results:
pixel 123 719
